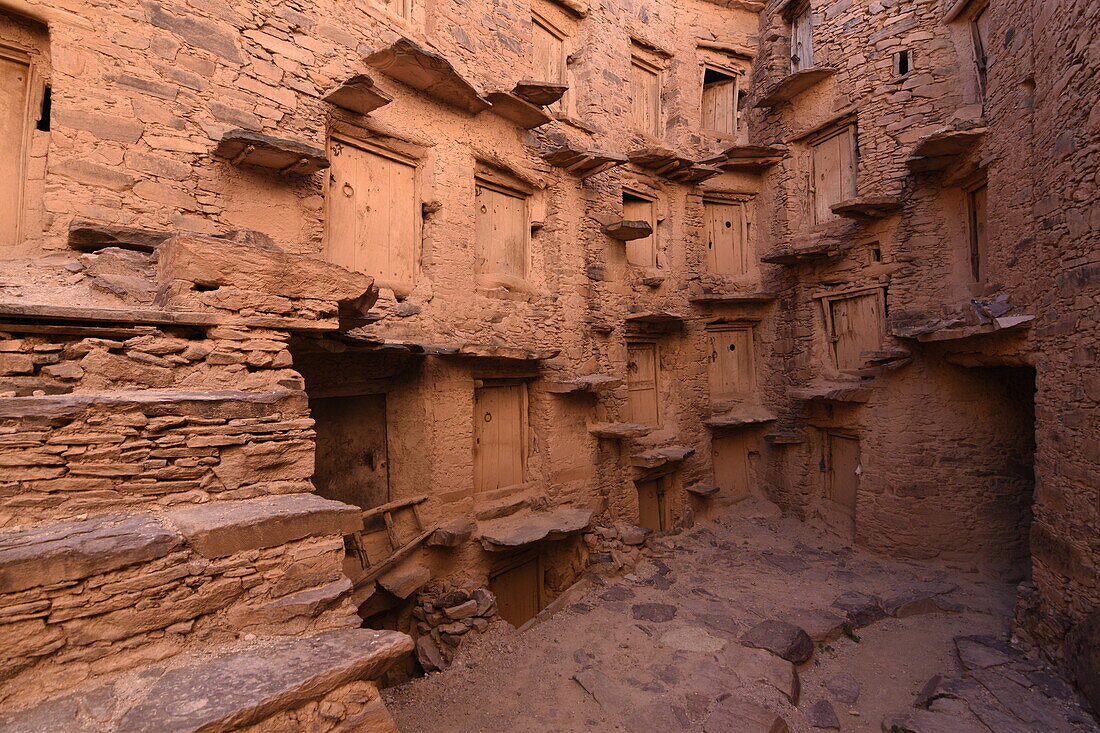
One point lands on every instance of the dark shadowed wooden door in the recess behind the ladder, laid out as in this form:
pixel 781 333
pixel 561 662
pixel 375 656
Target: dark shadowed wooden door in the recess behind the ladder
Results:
pixel 353 460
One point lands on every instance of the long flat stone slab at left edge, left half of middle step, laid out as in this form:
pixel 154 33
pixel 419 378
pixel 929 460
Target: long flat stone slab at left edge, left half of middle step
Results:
pixel 71 551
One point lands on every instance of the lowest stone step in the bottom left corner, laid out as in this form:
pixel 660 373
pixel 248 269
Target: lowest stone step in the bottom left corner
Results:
pixel 261 681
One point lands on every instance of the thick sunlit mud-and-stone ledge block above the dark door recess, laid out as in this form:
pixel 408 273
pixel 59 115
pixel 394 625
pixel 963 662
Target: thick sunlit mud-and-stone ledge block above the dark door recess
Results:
pixel 213 262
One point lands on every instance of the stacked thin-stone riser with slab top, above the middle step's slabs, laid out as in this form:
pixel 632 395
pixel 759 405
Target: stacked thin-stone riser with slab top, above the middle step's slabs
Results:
pixel 67 456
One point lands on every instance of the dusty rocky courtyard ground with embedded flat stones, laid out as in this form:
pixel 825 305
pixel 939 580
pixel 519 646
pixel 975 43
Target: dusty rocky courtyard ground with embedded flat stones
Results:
pixel 755 623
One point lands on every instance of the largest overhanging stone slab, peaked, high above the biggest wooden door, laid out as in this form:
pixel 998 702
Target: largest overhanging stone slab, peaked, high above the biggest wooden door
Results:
pixel 430 73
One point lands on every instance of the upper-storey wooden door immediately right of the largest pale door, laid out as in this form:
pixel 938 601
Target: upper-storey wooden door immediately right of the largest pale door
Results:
pixel 502 232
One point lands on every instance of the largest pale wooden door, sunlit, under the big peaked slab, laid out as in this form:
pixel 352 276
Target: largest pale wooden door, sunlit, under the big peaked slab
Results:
pixel 373 221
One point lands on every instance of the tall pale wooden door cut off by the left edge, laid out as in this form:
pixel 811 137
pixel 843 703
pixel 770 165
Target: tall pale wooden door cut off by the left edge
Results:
pixel 15 97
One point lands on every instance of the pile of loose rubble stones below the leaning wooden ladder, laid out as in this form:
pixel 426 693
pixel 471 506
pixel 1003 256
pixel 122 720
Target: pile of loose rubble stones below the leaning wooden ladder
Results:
pixel 445 620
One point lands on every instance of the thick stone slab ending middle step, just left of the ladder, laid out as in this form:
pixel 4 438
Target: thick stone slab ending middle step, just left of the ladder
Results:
pixel 222 529
